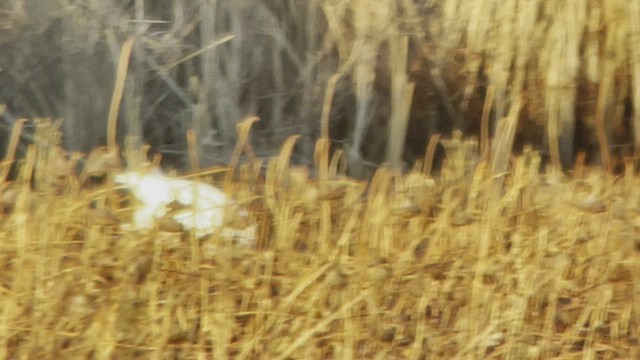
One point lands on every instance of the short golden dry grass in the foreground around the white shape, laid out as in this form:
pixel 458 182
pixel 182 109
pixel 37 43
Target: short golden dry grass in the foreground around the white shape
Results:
pixel 406 267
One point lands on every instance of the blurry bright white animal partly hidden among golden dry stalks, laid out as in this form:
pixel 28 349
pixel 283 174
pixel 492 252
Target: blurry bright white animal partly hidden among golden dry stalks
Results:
pixel 205 207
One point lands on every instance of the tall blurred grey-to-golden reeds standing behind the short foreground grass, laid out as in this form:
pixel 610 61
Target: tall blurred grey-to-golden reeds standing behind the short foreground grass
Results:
pixel 396 72
